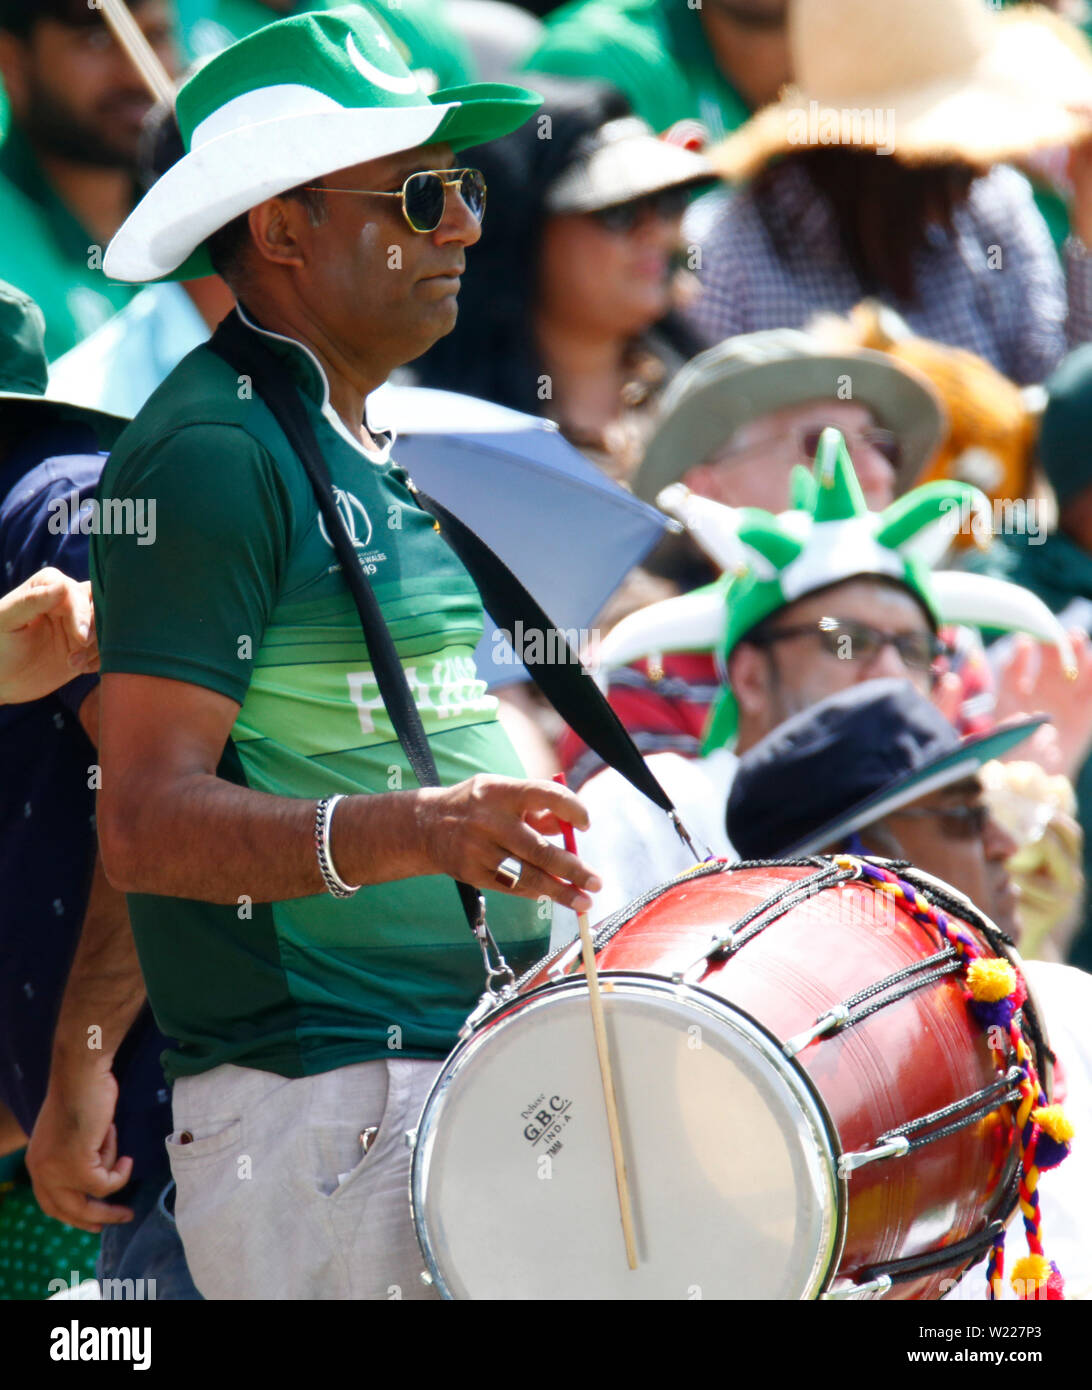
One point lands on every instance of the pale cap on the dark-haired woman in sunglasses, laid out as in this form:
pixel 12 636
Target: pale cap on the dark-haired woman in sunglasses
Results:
pixel 622 162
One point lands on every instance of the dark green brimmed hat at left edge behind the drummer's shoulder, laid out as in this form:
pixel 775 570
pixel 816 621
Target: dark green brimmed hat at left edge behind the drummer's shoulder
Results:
pixel 24 376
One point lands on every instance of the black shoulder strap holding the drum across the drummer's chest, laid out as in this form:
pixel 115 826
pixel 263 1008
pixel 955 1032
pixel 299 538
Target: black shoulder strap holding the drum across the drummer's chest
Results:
pixel 566 685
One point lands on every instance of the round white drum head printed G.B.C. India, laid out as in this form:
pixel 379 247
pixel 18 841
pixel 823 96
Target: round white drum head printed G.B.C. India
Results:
pixel 729 1156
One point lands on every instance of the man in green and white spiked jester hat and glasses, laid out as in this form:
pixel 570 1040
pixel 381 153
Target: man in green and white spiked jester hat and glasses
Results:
pixel 812 603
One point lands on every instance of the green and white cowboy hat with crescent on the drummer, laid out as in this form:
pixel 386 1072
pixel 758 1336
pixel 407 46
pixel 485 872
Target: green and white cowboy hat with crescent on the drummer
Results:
pixel 290 104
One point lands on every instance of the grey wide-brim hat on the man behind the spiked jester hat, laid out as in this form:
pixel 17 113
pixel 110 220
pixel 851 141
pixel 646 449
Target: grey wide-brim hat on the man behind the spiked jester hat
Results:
pixel 754 375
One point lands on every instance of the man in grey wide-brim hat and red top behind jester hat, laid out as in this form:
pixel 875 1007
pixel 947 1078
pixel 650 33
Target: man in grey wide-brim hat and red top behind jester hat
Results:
pixel 733 426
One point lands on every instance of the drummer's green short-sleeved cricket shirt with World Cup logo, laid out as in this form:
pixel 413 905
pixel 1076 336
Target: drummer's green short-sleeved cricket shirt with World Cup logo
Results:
pixel 237 589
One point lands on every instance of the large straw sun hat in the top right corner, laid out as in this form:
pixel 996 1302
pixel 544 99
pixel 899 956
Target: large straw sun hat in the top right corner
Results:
pixel 926 80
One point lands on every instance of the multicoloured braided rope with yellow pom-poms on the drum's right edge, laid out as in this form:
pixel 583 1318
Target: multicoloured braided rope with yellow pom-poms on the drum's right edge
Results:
pixel 995 996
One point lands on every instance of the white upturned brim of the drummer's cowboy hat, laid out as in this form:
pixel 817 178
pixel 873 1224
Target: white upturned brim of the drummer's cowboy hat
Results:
pixel 229 176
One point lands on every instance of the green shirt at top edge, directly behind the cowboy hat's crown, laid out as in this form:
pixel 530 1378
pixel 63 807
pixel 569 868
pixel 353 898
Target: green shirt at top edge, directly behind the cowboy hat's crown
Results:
pixel 426 40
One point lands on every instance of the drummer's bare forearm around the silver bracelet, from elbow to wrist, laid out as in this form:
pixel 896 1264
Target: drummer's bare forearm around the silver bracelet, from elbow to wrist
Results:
pixel 208 839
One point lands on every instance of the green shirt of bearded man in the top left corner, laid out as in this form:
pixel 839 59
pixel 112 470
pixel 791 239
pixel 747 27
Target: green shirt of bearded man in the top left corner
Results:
pixel 48 255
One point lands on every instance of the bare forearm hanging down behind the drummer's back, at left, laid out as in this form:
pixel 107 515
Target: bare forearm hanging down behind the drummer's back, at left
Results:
pixel 105 990
